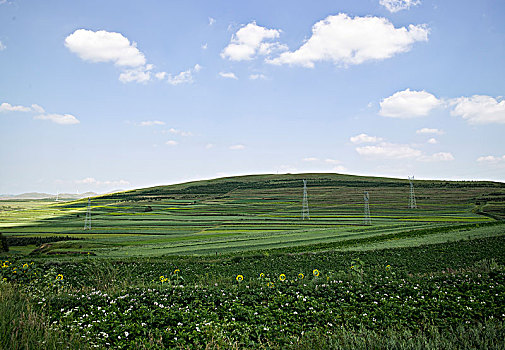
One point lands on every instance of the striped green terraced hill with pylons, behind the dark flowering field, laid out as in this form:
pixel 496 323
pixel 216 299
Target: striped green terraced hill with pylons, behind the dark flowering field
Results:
pixel 258 212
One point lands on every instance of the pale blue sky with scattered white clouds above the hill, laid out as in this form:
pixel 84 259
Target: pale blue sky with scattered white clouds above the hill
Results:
pixel 107 95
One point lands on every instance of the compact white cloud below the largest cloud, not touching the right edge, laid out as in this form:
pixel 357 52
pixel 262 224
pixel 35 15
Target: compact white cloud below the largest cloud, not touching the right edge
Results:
pixel 409 104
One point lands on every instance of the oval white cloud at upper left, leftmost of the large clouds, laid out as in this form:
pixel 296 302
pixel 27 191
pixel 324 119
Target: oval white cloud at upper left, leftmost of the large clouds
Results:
pixel 103 46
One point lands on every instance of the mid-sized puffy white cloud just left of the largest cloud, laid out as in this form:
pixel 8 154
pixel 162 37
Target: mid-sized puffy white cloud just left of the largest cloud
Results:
pixel 250 41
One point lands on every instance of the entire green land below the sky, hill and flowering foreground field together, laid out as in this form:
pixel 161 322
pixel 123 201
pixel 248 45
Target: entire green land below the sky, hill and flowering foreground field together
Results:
pixel 228 263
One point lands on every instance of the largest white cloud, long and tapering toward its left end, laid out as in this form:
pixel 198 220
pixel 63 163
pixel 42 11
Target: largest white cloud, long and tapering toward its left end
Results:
pixel 345 41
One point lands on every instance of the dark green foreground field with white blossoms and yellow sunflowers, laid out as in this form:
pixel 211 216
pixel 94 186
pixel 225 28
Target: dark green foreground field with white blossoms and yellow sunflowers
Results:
pixel 446 295
